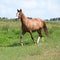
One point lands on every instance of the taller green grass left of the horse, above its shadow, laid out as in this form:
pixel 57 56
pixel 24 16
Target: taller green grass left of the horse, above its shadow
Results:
pixel 9 31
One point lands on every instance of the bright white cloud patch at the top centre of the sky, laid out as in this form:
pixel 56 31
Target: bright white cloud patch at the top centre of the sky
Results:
pixel 29 4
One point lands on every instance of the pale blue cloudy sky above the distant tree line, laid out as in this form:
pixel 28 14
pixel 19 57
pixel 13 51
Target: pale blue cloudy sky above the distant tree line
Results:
pixel 44 9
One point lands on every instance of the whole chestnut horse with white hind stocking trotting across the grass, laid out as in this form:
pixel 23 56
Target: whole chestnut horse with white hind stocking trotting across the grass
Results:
pixel 31 25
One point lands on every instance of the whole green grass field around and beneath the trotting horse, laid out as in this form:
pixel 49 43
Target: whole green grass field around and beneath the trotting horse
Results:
pixel 10 49
